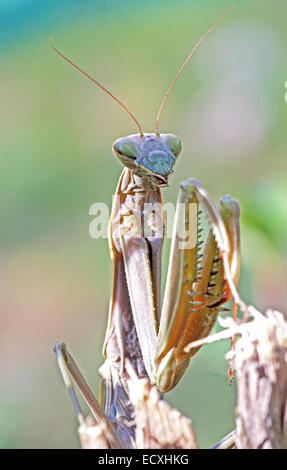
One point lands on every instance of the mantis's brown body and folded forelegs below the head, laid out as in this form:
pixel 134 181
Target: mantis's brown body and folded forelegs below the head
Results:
pixel 150 336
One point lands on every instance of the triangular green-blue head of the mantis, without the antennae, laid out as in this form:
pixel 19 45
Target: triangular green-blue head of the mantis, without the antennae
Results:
pixel 150 156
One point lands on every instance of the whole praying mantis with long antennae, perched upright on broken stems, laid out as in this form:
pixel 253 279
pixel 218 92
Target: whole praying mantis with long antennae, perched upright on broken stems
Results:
pixel 152 334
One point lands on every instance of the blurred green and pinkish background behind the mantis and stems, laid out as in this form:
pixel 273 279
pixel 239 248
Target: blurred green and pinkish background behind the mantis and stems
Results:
pixel 57 129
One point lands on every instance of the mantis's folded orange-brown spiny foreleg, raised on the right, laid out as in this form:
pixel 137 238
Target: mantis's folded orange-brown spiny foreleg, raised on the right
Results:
pixel 196 283
